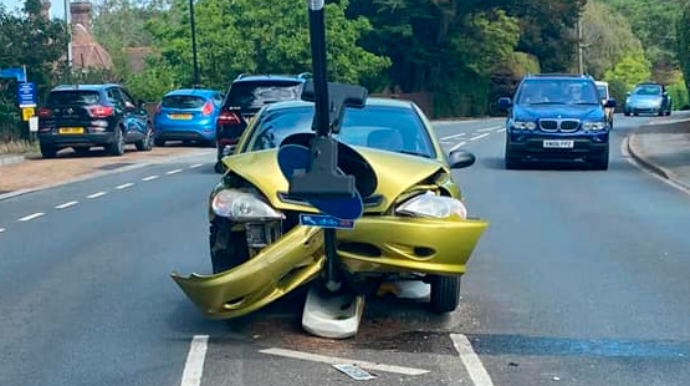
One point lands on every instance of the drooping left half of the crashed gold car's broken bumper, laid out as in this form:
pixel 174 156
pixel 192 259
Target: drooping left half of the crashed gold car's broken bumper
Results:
pixel 278 269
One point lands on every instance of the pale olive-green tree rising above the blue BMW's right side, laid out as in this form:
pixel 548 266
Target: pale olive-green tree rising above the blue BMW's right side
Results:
pixel 608 38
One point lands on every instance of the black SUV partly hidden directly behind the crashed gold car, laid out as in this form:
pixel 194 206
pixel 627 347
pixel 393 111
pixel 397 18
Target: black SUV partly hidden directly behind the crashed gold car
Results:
pixel 247 95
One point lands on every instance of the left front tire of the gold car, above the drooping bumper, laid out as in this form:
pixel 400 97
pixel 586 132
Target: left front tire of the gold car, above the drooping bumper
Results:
pixel 228 249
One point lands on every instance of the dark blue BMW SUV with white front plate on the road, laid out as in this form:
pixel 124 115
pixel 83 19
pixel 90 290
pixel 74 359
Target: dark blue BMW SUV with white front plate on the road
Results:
pixel 557 117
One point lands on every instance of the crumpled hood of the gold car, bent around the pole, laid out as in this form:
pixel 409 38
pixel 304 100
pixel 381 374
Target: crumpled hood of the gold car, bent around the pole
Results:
pixel 396 173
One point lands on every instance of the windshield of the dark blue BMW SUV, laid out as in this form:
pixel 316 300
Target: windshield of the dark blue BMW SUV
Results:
pixel 557 92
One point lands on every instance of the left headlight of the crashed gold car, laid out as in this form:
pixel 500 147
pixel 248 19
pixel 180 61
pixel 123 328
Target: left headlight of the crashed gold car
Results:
pixel 242 207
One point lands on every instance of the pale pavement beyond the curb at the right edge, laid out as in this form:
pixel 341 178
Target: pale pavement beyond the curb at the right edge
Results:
pixel 664 148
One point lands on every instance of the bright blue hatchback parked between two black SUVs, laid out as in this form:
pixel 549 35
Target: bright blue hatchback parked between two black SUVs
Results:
pixel 187 115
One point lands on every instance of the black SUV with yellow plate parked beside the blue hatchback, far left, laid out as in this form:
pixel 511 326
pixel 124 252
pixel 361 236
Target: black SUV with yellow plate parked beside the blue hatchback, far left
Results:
pixel 85 116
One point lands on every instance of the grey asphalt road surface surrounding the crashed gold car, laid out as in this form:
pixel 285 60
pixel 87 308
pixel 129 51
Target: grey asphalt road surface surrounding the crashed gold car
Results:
pixel 580 280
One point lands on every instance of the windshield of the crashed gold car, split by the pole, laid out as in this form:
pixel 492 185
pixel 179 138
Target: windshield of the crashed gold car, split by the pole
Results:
pixel 392 129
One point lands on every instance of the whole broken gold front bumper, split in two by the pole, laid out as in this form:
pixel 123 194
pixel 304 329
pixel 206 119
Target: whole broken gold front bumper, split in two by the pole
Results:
pixel 376 245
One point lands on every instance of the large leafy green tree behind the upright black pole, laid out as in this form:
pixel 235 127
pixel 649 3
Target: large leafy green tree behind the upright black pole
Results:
pixel 261 36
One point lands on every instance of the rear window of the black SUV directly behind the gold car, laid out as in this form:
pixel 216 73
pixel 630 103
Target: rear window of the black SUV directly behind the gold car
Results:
pixel 258 94
